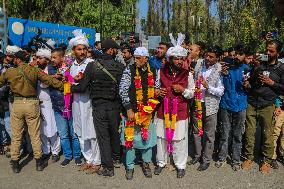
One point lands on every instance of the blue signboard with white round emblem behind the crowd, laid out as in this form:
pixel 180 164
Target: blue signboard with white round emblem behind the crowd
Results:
pixel 21 31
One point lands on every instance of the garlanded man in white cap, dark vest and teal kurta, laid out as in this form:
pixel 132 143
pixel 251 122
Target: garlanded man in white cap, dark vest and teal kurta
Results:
pixel 138 133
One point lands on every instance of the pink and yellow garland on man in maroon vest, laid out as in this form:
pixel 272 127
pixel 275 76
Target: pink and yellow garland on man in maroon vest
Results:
pixel 170 125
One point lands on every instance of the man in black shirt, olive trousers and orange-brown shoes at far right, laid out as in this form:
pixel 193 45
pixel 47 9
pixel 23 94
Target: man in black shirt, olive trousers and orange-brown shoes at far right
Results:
pixel 264 85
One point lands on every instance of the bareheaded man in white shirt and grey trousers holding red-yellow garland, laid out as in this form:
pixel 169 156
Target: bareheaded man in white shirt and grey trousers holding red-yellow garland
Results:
pixel 210 87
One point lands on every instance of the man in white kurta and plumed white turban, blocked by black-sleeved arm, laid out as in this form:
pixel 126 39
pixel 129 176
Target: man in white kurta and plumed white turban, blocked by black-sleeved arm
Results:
pixel 82 107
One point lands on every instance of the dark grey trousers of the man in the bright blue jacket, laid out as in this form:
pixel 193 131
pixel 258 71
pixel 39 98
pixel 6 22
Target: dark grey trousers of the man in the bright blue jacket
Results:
pixel 232 123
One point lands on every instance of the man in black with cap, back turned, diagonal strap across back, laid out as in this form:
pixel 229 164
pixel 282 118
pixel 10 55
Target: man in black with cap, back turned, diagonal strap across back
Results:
pixel 106 103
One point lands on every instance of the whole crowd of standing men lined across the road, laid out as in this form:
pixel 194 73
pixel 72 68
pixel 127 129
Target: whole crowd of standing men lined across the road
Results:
pixel 105 104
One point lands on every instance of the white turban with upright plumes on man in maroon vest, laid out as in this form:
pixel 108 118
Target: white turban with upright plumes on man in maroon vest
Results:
pixel 177 50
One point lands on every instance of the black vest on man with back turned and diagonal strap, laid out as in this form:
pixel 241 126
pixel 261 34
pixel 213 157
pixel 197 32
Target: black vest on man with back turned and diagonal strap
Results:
pixel 102 86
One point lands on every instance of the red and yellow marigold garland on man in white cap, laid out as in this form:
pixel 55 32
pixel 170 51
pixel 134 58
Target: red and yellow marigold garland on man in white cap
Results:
pixel 144 114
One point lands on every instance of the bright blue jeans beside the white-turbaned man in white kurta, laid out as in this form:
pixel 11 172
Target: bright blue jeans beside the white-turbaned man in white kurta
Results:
pixel 67 134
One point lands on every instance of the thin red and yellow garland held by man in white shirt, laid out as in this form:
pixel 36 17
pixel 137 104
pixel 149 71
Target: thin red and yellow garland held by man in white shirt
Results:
pixel 198 104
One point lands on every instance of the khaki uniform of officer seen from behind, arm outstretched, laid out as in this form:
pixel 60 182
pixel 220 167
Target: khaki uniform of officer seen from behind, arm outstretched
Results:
pixel 25 108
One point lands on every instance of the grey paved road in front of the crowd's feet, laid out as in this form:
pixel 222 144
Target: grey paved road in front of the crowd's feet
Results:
pixel 54 177
